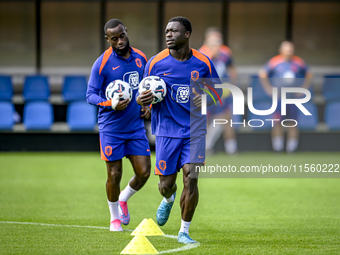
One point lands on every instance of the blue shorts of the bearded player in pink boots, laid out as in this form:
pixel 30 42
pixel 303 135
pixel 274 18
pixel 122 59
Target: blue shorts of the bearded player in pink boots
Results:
pixel 113 147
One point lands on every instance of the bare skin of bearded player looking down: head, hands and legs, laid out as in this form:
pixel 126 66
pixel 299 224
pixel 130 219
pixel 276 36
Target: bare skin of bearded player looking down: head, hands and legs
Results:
pixel 119 41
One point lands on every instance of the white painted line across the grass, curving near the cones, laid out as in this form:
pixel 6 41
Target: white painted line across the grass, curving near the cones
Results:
pixel 184 248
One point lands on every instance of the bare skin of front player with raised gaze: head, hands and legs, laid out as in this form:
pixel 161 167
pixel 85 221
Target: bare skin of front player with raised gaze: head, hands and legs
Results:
pixel 177 39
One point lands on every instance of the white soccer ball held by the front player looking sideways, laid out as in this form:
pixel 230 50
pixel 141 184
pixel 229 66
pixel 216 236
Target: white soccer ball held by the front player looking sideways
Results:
pixel 156 85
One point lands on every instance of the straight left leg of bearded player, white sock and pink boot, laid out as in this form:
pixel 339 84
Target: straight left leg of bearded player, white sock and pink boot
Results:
pixel 114 175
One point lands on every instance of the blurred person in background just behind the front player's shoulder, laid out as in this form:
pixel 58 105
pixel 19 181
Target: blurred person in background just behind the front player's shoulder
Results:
pixel 221 57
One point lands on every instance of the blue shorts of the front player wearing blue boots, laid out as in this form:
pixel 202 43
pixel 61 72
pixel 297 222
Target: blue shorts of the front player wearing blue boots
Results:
pixel 173 153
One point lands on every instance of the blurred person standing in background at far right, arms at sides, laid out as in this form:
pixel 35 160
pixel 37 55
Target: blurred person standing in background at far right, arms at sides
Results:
pixel 285 70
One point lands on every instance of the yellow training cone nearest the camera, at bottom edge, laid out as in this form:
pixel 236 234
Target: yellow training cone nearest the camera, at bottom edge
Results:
pixel 139 245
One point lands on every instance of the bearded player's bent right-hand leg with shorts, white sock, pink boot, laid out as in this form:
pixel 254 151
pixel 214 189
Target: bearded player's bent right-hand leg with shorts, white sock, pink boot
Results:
pixel 138 152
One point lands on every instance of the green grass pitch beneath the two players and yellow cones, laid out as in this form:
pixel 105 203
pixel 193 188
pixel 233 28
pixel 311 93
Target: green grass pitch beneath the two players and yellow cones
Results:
pixel 234 215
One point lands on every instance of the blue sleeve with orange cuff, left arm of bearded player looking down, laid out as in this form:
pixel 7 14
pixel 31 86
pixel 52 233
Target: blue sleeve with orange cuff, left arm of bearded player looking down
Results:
pixel 94 93
